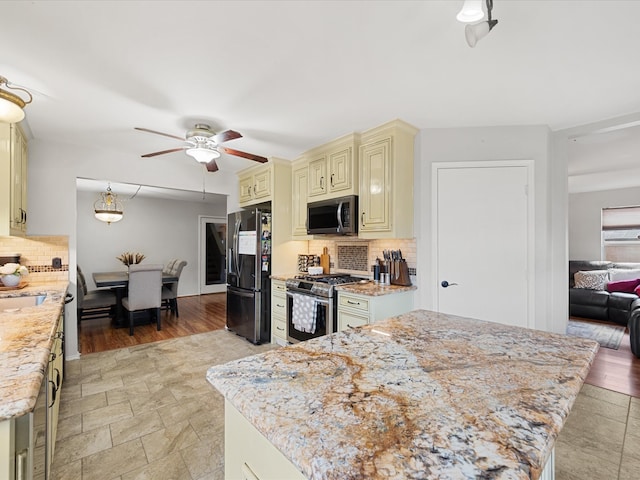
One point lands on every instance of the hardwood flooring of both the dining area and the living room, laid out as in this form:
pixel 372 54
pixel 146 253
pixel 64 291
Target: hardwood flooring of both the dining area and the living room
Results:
pixel 617 370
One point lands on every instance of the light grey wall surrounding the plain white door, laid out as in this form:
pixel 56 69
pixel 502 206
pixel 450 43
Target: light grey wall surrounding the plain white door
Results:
pixel 502 143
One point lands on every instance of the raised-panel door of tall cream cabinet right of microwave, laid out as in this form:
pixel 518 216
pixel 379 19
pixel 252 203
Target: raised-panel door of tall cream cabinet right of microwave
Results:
pixel 375 186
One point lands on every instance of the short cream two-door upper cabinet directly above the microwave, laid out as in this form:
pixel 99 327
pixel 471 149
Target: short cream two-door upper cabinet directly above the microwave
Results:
pixel 333 168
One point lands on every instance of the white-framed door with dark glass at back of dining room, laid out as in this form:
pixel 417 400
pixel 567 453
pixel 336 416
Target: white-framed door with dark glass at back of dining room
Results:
pixel 212 257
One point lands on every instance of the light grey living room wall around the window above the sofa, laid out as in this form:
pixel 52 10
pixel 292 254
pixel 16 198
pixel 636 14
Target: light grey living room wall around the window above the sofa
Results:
pixel 585 219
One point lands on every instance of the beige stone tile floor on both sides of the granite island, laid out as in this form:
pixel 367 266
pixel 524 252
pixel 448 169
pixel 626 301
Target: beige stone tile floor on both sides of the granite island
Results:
pixel 147 412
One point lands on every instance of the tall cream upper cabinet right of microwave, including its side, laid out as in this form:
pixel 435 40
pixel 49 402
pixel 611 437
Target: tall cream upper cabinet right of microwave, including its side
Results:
pixel 386 181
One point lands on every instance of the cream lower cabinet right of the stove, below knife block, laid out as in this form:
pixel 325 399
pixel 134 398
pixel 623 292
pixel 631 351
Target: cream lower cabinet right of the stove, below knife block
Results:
pixel 355 310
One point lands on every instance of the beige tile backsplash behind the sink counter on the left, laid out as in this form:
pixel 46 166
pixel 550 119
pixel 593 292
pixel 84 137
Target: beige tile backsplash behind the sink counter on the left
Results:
pixel 37 254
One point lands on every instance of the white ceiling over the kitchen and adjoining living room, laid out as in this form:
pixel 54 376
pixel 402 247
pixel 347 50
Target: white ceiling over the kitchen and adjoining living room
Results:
pixel 290 75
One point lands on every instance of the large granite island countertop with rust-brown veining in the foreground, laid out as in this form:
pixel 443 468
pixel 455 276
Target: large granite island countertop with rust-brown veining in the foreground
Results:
pixel 421 395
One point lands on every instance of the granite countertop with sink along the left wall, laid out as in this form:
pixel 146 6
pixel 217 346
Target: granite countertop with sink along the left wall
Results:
pixel 26 337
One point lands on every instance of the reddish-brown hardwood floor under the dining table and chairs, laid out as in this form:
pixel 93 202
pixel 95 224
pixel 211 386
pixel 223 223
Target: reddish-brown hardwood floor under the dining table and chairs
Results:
pixel 198 314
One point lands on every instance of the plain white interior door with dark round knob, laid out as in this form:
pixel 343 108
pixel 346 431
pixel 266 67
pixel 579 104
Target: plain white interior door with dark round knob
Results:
pixel 483 240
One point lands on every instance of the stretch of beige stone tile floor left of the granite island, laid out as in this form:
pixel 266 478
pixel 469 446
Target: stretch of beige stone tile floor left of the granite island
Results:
pixel 146 412
